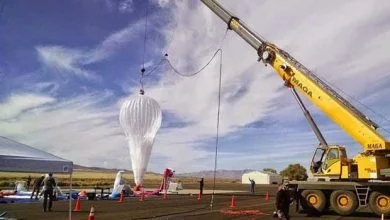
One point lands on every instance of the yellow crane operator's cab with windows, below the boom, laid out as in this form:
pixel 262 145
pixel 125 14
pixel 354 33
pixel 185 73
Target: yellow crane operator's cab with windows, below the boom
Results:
pixel 331 162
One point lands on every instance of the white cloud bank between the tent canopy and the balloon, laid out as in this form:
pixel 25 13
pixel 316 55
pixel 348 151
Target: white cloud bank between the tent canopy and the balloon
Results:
pixel 79 128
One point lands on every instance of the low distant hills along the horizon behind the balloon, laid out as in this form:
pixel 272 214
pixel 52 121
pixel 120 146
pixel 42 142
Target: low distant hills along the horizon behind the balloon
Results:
pixel 221 174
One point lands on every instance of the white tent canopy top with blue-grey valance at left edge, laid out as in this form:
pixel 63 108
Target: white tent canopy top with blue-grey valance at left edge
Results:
pixel 17 157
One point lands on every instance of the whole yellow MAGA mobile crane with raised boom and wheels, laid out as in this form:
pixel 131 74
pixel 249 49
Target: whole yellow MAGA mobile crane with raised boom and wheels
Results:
pixel 344 184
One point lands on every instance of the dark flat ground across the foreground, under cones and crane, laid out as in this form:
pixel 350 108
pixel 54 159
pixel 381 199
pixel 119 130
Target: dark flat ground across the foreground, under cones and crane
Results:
pixel 182 206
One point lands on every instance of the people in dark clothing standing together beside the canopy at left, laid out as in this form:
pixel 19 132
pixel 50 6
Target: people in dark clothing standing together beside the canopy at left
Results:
pixel 44 185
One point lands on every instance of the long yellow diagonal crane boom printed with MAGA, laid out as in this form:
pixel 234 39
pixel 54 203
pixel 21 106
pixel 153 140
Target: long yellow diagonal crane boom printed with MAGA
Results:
pixel 296 75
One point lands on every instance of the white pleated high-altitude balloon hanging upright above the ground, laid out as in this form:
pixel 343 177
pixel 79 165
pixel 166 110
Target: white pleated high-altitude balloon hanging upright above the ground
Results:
pixel 140 117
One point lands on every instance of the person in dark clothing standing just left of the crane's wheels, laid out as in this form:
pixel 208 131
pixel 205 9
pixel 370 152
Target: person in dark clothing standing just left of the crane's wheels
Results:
pixel 282 202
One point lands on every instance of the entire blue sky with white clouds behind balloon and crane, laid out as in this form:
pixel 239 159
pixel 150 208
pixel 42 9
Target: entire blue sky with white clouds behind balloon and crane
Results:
pixel 66 66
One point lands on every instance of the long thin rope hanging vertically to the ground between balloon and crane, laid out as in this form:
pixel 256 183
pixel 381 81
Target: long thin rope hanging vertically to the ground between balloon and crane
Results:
pixel 217 137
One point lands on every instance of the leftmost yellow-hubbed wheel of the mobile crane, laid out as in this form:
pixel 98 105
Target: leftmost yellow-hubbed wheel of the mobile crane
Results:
pixel 313 201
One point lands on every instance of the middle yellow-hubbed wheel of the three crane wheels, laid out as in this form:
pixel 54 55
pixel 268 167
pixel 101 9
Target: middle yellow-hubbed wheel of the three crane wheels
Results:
pixel 343 202
